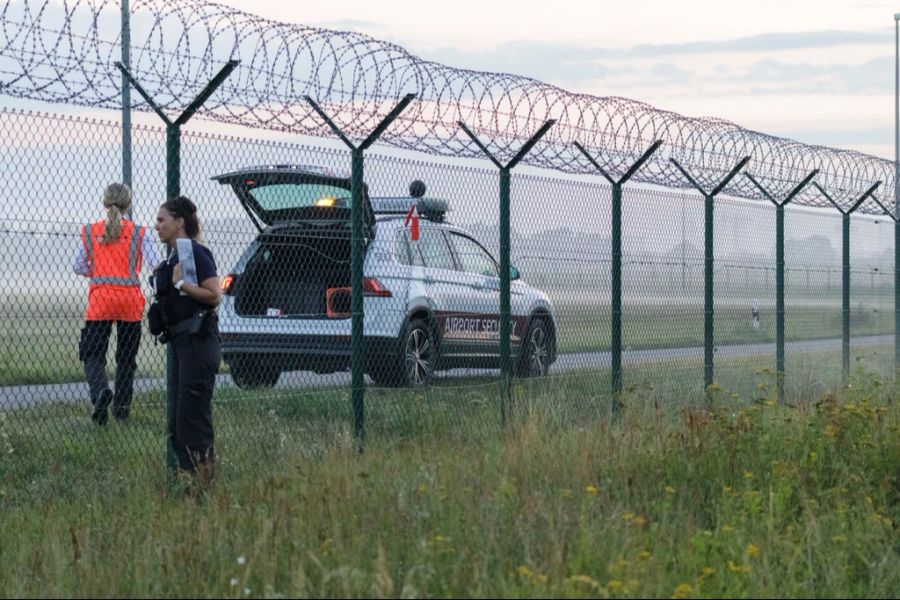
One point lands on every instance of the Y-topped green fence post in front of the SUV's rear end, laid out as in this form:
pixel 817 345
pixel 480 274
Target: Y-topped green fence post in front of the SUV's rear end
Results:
pixel 357 257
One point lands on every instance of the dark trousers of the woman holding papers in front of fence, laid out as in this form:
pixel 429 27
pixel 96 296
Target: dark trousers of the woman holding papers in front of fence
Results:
pixel 190 424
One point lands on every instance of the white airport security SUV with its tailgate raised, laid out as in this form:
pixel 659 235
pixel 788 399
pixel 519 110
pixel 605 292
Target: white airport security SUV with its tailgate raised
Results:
pixel 431 303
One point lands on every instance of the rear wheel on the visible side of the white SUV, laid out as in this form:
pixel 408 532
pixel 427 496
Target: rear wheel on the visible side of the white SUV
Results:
pixel 413 366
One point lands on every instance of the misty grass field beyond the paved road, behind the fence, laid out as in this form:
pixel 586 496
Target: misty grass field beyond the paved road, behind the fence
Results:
pixel 39 335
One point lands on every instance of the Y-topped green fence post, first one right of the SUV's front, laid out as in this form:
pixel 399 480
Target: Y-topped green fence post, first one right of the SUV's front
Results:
pixel 616 341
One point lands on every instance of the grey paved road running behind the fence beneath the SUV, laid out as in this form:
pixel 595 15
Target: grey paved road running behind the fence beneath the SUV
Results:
pixel 28 395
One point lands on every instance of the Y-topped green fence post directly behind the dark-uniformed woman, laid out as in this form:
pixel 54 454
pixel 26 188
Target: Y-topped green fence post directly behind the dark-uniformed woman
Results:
pixel 173 189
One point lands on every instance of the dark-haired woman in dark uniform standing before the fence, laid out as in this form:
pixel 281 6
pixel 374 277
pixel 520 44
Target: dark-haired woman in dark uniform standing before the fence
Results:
pixel 188 310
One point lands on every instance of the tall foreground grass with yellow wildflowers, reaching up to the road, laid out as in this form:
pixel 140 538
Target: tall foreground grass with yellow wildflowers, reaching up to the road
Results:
pixel 680 495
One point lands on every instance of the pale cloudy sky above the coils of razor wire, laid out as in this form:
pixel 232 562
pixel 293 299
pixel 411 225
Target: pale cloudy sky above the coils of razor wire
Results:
pixel 821 72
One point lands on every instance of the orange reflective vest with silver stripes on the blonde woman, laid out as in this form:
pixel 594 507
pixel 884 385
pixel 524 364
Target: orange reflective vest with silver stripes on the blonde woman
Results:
pixel 115 289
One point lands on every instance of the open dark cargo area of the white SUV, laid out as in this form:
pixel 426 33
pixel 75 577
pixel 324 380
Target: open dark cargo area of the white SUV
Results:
pixel 296 276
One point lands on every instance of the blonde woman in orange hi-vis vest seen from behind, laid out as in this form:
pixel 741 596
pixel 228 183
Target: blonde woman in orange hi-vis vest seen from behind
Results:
pixel 110 254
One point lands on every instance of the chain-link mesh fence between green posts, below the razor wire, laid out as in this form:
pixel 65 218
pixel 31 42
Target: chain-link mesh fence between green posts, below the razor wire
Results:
pixel 276 217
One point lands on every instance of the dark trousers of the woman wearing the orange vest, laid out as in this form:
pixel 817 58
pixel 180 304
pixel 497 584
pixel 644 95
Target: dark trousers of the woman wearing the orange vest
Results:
pixel 92 351
